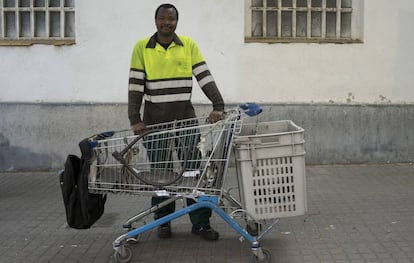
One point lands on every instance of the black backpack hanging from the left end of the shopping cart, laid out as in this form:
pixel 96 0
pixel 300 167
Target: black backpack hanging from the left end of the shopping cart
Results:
pixel 83 209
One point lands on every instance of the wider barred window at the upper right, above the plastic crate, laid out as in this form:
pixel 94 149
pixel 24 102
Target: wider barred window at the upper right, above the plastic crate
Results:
pixel 335 21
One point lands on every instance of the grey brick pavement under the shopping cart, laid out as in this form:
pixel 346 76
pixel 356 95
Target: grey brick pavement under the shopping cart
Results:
pixel 356 213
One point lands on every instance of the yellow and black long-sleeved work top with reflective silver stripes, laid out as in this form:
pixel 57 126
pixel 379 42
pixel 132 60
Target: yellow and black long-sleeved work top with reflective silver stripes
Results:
pixel 163 78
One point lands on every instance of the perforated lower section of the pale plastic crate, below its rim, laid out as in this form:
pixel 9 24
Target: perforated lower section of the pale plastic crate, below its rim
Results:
pixel 274 187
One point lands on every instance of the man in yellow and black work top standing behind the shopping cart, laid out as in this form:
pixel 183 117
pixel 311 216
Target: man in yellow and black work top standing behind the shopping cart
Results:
pixel 161 73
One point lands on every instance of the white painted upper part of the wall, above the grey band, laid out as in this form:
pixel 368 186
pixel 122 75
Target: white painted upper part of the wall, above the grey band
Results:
pixel 95 69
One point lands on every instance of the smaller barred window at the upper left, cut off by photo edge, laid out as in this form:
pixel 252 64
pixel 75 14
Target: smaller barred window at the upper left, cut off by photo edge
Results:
pixel 27 22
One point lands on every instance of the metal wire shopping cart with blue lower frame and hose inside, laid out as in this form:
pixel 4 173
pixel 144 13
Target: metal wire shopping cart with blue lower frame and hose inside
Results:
pixel 184 159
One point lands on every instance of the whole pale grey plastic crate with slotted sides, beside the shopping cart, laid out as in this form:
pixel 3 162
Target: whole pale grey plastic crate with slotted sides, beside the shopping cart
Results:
pixel 270 162
